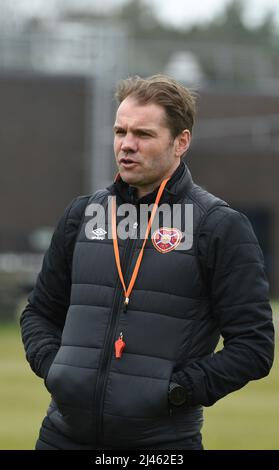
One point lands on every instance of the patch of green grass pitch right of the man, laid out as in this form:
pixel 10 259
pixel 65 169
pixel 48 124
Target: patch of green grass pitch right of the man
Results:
pixel 249 418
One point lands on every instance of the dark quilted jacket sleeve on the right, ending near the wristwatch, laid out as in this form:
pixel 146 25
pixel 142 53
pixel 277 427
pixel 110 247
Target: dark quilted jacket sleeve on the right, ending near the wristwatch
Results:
pixel 238 289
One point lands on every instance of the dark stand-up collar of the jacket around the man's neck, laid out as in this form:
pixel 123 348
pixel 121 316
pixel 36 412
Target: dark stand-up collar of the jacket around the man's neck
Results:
pixel 178 185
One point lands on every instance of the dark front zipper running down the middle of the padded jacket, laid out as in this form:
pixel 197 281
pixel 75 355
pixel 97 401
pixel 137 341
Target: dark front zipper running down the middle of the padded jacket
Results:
pixel 108 346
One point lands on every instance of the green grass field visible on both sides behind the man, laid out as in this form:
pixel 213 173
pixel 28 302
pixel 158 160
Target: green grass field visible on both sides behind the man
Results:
pixel 247 419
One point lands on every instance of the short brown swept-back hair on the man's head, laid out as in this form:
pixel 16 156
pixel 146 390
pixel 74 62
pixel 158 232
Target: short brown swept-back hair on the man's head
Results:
pixel 178 101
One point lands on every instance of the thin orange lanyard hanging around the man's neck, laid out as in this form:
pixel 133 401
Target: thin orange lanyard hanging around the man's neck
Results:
pixel 127 292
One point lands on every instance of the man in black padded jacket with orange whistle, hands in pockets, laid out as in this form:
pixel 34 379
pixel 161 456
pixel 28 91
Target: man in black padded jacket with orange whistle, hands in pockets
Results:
pixel 123 331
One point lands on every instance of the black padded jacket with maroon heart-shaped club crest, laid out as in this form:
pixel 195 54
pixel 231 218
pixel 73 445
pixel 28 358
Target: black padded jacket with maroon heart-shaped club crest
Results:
pixel 180 305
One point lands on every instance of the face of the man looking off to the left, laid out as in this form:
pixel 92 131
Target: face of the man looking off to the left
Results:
pixel 144 148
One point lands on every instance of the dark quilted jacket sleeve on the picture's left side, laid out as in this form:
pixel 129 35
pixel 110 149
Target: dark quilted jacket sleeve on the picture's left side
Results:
pixel 43 319
